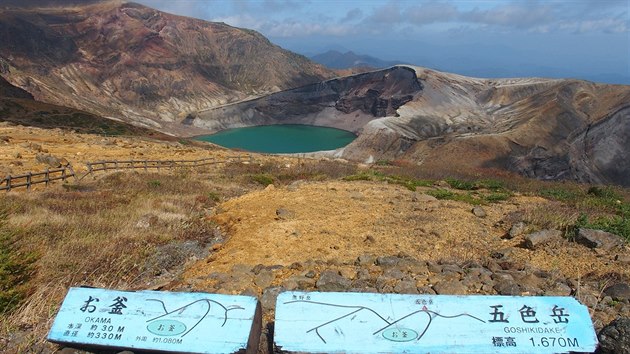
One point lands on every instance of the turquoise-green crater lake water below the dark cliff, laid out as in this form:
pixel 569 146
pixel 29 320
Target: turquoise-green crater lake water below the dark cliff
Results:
pixel 285 138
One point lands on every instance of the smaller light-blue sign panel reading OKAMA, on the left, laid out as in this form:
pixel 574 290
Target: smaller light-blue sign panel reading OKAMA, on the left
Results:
pixel 160 321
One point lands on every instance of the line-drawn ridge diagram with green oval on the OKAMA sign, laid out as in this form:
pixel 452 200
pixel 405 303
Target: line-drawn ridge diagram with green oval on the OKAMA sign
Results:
pixel 184 319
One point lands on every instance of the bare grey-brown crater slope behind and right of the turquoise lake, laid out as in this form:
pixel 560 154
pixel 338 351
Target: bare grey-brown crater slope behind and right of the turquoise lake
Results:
pixel 542 128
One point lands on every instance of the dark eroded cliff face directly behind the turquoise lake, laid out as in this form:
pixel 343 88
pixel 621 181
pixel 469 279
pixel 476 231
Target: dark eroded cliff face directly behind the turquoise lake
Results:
pixel 346 103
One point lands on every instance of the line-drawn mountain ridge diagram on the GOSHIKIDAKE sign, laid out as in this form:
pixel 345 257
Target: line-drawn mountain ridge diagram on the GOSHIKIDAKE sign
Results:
pixel 348 320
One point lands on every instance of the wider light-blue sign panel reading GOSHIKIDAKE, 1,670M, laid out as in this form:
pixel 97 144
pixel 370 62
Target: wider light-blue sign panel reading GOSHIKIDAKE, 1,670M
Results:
pixel 391 323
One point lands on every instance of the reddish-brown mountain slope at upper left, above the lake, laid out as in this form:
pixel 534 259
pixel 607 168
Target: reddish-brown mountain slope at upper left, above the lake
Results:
pixel 129 61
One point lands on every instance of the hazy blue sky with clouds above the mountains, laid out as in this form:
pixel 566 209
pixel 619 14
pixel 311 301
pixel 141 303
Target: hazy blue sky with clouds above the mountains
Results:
pixel 585 39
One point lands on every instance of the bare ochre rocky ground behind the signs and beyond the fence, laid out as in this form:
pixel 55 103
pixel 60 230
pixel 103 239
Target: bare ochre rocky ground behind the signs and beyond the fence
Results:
pixel 364 236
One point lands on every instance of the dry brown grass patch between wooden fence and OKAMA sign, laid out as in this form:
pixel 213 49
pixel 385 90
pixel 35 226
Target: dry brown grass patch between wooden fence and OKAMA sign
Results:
pixel 116 232
